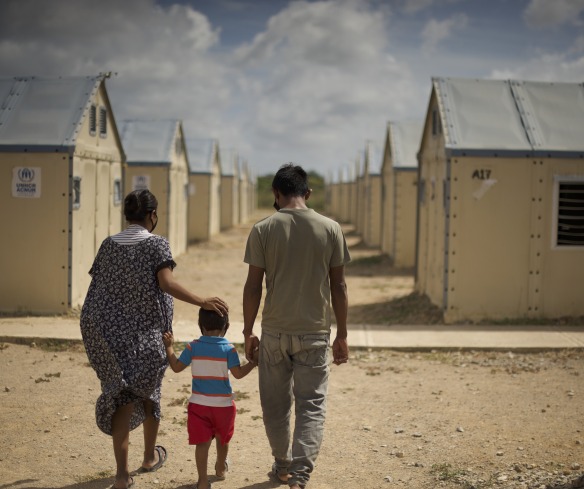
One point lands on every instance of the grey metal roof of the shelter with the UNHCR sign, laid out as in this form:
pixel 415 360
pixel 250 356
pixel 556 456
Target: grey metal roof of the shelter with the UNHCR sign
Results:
pixel 42 111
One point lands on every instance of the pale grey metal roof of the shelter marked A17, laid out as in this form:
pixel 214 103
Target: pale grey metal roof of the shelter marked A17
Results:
pixel 506 116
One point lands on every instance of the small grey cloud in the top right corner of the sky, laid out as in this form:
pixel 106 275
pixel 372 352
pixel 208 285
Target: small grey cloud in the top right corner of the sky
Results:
pixel 546 13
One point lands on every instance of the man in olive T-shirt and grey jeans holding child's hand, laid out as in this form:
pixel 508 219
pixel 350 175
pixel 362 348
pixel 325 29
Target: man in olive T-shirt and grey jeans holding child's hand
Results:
pixel 302 255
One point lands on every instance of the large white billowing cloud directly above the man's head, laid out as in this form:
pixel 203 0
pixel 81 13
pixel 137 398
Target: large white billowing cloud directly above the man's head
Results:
pixel 327 83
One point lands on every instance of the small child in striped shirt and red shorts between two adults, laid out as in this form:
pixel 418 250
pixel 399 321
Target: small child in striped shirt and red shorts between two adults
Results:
pixel 211 407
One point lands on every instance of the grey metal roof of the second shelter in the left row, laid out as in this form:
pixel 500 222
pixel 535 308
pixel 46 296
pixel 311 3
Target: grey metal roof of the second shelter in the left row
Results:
pixel 149 141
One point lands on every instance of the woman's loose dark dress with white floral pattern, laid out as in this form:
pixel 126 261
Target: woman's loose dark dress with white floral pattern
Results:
pixel 122 320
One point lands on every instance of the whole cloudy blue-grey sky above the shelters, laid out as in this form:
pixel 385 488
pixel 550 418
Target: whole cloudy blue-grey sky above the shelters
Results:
pixel 308 82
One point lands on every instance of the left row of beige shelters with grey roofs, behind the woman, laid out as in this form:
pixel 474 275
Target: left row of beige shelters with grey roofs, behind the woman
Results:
pixel 65 167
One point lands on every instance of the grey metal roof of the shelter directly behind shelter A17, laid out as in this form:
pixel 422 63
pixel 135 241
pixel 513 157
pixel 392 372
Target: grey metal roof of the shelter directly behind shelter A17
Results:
pixel 404 140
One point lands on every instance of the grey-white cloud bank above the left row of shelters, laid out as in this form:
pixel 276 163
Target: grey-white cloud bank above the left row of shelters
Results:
pixel 161 55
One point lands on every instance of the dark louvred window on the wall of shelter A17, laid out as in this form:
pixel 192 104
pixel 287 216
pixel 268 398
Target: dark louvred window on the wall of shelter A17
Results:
pixel 570 212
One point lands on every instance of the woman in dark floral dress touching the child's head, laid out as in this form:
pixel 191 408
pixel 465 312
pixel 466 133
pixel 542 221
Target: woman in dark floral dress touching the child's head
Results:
pixel 128 307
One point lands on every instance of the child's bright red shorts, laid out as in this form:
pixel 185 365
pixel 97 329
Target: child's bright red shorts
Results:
pixel 206 422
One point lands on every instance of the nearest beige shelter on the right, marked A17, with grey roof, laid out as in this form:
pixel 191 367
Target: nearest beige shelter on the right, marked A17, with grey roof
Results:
pixel 501 199
